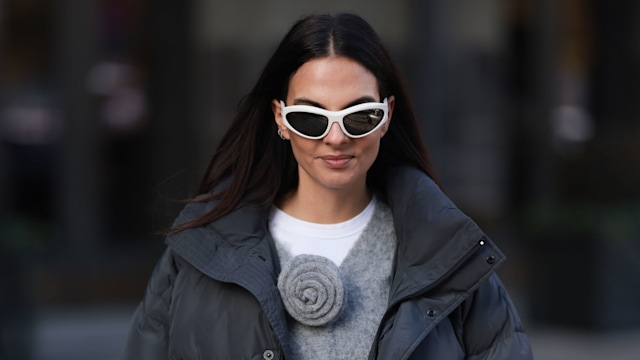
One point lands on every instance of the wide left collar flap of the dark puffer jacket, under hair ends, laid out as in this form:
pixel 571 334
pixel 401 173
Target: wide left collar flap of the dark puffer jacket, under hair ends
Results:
pixel 235 249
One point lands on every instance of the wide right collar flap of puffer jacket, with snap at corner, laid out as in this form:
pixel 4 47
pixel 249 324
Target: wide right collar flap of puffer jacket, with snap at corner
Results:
pixel 434 237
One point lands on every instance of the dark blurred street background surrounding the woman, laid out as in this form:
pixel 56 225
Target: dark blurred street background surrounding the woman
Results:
pixel 110 109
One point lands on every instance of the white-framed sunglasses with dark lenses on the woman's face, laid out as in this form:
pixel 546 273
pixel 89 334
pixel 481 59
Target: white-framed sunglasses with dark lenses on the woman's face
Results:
pixel 314 123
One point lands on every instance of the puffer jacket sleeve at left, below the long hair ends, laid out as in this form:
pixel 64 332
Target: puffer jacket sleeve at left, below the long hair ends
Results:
pixel 149 332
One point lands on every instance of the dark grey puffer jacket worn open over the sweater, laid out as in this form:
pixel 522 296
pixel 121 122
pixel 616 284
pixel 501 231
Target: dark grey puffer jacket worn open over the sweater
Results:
pixel 213 294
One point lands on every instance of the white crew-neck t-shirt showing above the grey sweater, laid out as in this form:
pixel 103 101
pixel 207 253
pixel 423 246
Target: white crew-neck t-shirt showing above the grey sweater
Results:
pixel 332 241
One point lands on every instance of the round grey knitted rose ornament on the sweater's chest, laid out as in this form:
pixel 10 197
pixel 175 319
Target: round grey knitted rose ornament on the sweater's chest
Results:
pixel 312 290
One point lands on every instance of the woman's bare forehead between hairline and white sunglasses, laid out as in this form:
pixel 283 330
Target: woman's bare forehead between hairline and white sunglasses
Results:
pixel 333 82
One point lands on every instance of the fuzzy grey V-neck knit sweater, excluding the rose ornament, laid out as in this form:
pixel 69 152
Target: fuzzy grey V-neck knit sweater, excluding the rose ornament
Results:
pixel 366 275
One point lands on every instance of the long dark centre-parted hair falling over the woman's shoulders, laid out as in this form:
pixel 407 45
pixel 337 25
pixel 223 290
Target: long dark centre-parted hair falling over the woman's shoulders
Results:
pixel 257 166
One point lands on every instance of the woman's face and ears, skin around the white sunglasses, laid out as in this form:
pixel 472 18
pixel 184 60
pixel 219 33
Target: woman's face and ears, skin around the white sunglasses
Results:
pixel 335 161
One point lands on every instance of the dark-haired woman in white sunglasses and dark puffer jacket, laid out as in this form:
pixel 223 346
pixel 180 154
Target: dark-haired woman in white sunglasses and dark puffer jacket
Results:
pixel 320 232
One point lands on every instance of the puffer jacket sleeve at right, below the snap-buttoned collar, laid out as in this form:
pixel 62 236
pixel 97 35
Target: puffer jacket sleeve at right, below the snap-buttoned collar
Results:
pixel 492 329
